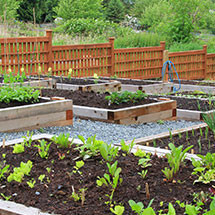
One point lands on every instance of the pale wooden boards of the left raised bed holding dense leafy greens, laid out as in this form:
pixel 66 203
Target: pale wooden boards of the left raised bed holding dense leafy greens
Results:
pixel 51 113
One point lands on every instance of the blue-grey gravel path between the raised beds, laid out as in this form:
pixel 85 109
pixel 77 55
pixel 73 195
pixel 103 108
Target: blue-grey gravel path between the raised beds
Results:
pixel 106 131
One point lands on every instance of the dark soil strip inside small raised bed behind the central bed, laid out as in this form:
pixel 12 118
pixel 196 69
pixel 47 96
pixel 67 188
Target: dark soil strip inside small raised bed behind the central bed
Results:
pixel 76 81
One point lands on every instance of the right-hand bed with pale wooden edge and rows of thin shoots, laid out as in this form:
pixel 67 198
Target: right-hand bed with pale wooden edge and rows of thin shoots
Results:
pixel 199 136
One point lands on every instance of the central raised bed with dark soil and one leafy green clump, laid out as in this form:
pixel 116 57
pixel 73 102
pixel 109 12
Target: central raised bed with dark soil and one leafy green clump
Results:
pixel 108 108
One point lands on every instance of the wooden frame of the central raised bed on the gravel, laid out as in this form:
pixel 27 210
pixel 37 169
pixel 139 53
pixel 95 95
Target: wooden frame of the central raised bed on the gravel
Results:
pixel 131 115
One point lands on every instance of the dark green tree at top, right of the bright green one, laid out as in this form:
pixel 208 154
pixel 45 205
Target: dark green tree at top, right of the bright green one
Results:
pixel 115 11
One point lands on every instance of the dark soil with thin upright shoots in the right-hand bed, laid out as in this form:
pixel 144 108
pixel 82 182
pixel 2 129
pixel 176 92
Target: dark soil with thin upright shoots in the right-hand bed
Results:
pixel 201 144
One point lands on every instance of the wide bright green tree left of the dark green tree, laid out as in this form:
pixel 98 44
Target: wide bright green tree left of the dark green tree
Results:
pixel 72 9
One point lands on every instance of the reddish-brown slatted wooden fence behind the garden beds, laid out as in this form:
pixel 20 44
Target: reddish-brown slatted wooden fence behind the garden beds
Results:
pixel 37 53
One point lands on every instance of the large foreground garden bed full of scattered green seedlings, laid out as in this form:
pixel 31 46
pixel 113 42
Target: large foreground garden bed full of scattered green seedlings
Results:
pixel 80 187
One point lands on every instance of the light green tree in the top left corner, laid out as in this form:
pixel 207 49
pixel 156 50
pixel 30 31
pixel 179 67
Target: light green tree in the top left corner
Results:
pixel 8 9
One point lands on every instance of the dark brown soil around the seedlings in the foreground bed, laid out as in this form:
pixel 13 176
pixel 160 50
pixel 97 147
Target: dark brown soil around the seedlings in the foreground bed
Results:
pixel 54 193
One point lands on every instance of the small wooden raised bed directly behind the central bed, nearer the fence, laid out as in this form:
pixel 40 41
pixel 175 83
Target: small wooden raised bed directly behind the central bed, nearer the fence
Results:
pixel 87 84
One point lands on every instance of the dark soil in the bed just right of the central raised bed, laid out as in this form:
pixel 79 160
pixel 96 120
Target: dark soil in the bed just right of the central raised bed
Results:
pixel 191 103
